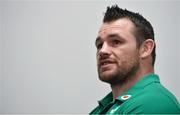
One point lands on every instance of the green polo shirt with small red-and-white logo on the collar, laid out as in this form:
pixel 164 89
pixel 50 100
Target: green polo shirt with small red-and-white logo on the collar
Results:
pixel 147 96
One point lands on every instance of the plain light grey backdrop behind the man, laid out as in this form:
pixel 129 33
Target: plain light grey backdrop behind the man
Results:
pixel 47 52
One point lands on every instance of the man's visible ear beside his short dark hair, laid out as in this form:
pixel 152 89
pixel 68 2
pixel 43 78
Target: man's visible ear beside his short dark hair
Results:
pixel 146 48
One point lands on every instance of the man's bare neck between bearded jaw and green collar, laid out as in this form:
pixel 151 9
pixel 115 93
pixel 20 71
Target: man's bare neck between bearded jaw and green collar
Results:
pixel 119 88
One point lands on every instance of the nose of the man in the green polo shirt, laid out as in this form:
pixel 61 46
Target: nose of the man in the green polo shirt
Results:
pixel 104 52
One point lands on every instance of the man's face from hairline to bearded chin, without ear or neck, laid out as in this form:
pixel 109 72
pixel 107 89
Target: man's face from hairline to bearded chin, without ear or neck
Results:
pixel 117 52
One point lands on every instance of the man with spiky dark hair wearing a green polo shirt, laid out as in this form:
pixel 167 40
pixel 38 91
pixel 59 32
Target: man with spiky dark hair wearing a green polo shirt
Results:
pixel 125 59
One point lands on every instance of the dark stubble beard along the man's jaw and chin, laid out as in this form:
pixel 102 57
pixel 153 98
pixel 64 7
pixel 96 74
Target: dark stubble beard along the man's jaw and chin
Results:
pixel 122 73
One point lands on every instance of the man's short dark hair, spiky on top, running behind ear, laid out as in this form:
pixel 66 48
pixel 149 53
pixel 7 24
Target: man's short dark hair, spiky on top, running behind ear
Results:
pixel 143 28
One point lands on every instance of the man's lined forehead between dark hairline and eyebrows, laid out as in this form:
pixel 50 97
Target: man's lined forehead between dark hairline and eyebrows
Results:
pixel 120 26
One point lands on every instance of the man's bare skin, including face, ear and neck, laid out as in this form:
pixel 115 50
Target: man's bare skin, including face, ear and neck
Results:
pixel 120 61
